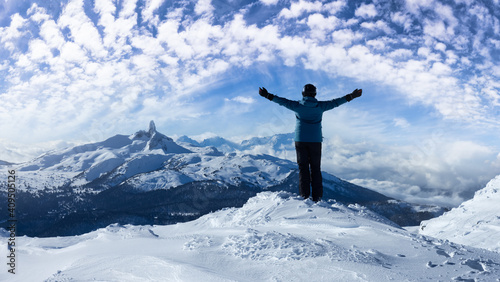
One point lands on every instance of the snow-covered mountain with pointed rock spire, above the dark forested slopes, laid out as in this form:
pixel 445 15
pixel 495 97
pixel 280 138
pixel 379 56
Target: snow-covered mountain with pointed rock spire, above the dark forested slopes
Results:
pixel 148 160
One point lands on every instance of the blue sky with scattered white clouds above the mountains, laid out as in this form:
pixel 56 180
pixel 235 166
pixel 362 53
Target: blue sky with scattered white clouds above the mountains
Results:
pixel 425 129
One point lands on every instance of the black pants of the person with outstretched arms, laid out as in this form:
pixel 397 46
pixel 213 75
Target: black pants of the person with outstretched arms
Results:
pixel 309 161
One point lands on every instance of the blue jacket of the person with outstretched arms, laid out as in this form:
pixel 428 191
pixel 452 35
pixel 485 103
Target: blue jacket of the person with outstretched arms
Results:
pixel 309 113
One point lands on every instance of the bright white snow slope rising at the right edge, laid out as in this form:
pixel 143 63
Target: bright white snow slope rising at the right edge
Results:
pixel 475 222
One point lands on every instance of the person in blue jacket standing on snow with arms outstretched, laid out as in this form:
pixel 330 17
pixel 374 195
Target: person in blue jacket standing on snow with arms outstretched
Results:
pixel 308 135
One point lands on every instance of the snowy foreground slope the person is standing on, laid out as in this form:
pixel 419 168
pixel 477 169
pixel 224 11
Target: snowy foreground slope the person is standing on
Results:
pixel 275 236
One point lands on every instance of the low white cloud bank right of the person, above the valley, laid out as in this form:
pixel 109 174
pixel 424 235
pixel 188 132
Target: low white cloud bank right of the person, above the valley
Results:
pixel 428 171
